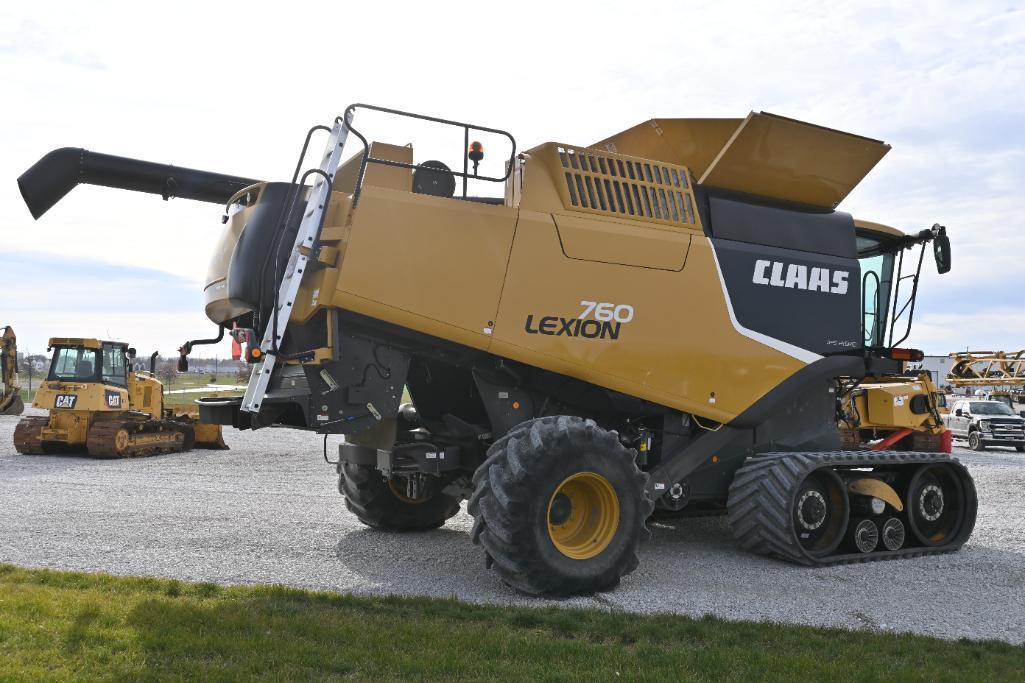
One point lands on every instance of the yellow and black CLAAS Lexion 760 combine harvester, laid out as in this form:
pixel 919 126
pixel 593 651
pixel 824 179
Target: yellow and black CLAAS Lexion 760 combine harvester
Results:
pixel 659 323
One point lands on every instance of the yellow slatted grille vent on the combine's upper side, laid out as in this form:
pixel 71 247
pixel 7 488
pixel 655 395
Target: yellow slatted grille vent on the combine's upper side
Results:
pixel 616 185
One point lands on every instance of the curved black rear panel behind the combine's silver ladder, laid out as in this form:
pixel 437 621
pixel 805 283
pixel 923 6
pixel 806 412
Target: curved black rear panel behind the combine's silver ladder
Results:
pixel 251 273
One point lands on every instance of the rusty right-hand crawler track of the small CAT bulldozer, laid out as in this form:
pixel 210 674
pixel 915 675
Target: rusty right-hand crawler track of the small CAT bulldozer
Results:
pixel 126 438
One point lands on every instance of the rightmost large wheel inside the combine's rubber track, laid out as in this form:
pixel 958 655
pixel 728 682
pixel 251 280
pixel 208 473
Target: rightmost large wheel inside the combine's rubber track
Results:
pixel 937 504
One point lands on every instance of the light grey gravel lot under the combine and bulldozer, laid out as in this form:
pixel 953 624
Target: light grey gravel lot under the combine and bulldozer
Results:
pixel 269 511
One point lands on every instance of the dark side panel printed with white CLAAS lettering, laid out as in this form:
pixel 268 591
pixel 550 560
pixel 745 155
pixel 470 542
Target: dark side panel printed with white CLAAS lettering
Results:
pixel 808 300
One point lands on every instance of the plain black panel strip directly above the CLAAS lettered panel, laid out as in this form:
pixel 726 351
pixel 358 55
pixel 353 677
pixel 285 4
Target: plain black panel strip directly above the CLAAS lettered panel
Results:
pixel 830 234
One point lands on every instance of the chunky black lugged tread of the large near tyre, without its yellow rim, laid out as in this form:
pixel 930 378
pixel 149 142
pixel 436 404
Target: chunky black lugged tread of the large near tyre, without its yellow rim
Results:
pixel 503 483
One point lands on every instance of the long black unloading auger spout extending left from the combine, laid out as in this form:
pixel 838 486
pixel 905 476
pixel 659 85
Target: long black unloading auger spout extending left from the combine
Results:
pixel 57 174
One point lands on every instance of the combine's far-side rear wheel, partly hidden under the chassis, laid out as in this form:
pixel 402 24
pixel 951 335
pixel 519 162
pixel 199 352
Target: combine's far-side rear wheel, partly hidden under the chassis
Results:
pixel 383 504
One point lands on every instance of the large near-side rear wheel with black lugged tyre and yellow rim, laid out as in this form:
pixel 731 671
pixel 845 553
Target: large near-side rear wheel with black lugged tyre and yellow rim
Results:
pixel 560 507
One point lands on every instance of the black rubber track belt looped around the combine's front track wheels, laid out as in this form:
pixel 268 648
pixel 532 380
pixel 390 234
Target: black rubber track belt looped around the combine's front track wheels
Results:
pixel 763 492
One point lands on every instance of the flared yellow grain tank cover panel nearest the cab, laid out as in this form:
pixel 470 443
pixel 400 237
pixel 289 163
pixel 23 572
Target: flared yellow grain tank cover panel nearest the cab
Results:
pixel 793 162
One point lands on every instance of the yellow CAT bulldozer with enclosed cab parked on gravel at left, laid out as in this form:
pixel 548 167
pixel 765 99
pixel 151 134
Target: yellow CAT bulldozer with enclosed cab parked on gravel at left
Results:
pixel 98 404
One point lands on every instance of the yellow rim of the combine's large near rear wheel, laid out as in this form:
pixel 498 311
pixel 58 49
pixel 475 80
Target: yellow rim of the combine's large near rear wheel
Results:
pixel 584 516
